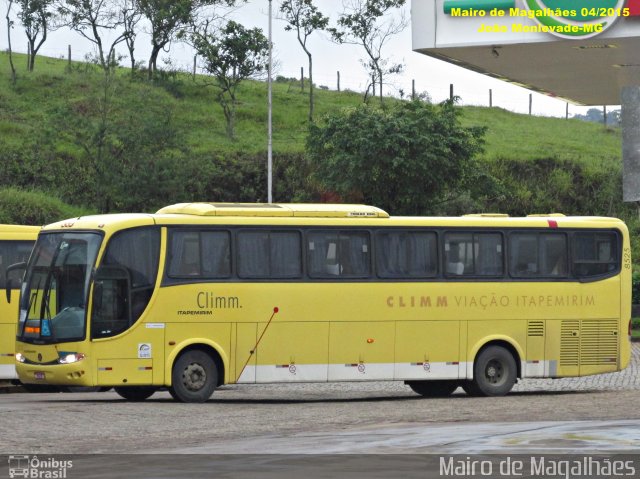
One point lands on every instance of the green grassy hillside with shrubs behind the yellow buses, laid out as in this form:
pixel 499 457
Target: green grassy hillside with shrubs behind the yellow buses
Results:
pixel 66 132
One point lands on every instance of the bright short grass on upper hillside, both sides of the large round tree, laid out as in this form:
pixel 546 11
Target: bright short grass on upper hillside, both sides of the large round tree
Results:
pixel 509 135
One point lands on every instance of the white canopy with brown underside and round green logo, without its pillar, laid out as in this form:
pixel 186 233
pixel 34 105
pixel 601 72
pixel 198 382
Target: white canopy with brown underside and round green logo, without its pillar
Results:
pixel 589 69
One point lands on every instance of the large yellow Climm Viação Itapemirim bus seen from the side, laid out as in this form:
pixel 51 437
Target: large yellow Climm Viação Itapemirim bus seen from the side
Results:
pixel 204 294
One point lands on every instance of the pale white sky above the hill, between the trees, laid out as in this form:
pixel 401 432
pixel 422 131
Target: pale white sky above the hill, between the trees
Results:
pixel 431 76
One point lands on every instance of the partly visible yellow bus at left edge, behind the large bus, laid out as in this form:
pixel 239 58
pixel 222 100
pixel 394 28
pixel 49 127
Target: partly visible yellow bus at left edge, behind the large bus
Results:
pixel 16 243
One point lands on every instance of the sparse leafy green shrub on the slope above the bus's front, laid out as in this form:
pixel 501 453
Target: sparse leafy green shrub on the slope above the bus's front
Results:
pixel 130 146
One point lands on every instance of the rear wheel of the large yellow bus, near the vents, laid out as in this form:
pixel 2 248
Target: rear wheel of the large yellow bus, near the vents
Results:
pixel 494 373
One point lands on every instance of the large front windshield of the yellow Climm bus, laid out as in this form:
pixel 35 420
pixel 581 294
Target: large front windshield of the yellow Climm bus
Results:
pixel 56 287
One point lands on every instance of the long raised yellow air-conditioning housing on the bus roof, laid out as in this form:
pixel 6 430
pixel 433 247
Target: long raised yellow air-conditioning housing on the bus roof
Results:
pixel 275 209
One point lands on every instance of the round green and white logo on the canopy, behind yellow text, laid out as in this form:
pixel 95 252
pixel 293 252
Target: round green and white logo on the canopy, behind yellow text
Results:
pixel 576 19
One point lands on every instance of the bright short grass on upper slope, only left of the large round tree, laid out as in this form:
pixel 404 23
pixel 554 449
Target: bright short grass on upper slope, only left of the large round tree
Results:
pixel 52 85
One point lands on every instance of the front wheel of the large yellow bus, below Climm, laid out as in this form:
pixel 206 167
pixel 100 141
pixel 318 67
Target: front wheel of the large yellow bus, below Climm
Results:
pixel 194 377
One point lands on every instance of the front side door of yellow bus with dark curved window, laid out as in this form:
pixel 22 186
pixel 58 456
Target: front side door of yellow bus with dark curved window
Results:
pixel 123 288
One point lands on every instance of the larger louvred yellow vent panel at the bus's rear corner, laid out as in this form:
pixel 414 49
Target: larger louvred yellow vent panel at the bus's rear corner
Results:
pixel 589 342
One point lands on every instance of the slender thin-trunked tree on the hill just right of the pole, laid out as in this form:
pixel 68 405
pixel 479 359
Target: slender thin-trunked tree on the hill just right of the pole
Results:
pixel 305 18
